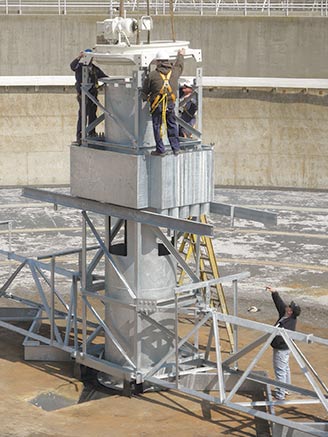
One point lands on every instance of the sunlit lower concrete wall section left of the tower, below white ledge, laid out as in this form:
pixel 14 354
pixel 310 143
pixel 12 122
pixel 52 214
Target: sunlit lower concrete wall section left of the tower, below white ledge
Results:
pixel 35 131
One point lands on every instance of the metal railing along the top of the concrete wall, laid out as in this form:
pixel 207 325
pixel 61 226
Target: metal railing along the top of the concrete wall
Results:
pixel 162 7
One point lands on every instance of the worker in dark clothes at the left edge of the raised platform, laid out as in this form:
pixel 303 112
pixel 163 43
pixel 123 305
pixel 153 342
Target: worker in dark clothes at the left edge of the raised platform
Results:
pixel 95 73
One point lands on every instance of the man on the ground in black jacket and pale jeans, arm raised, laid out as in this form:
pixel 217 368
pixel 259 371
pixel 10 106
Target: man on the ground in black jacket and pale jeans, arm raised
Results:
pixel 287 320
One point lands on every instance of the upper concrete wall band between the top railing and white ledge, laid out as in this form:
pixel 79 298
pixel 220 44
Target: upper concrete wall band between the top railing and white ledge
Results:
pixel 232 46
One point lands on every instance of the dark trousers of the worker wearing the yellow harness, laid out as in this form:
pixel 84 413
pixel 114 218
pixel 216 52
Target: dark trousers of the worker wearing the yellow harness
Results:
pixel 172 128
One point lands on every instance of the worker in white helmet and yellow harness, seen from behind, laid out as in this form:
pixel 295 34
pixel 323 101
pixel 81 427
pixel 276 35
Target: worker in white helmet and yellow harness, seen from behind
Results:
pixel 160 88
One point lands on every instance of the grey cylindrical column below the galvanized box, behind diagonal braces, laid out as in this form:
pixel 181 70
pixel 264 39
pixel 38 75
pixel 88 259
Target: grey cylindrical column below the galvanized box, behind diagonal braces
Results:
pixel 150 272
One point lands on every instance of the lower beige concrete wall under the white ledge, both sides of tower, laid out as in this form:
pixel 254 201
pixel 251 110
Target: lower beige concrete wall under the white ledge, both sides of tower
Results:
pixel 261 139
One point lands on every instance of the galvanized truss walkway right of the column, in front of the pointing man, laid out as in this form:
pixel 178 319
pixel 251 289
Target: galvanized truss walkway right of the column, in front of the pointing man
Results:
pixel 219 366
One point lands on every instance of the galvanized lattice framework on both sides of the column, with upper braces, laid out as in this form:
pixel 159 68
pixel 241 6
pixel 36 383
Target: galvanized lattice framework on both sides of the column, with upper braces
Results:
pixel 189 299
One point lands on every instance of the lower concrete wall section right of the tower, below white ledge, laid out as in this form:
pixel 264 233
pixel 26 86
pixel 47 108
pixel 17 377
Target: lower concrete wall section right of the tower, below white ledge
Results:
pixel 268 139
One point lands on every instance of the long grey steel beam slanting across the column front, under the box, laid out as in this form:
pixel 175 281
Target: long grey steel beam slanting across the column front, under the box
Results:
pixel 108 209
